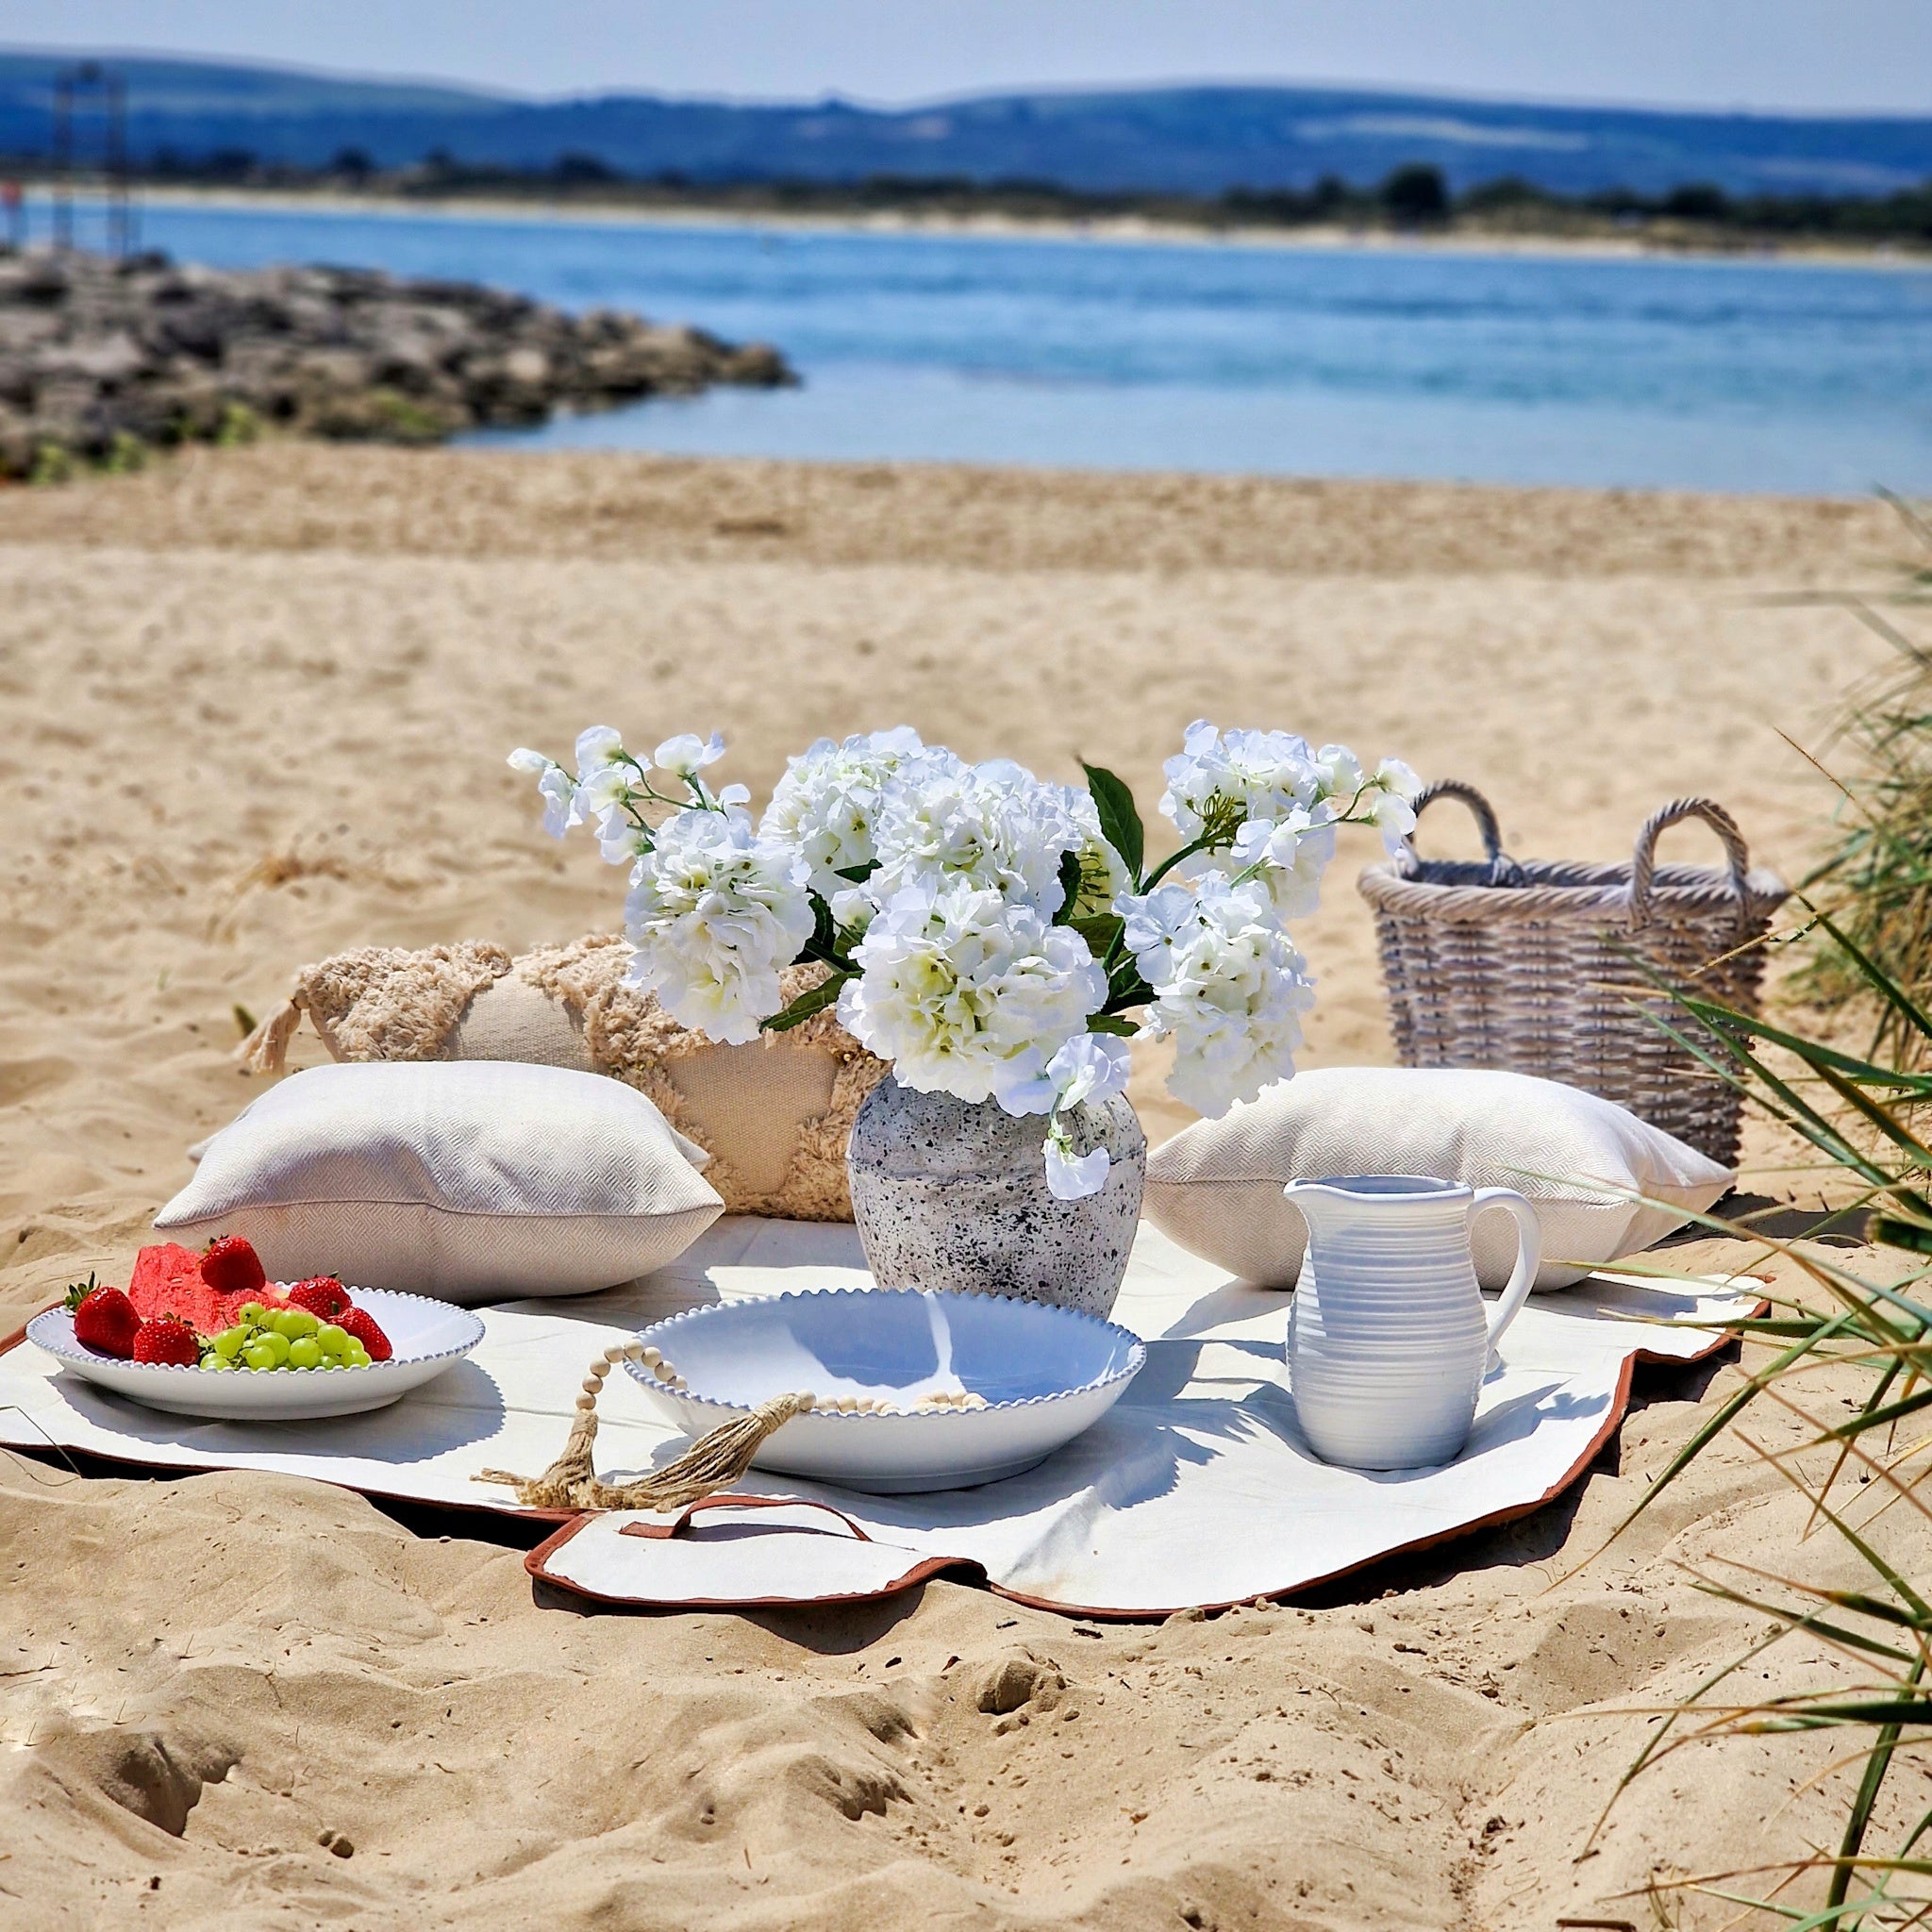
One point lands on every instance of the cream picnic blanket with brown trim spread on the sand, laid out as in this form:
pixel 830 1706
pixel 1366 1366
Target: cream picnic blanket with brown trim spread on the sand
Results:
pixel 1197 1489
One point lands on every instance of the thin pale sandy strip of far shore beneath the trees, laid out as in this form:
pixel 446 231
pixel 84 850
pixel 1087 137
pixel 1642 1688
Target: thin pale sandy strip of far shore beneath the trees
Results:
pixel 1100 231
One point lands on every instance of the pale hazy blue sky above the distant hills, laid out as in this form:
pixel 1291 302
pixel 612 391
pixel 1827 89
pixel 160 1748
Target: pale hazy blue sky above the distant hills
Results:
pixel 1833 55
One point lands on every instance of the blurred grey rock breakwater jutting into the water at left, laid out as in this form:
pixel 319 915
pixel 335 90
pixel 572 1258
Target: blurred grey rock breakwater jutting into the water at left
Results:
pixel 101 360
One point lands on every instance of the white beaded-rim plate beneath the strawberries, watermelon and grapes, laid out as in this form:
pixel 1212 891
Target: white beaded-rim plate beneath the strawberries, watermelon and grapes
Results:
pixel 428 1340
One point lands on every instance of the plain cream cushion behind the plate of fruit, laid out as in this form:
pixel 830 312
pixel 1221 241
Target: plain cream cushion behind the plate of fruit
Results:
pixel 476 1181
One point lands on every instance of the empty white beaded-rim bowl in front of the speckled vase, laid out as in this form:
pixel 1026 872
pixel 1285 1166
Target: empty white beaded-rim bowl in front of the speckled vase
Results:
pixel 1040 1375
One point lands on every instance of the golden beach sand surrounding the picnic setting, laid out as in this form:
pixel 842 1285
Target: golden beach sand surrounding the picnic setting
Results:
pixel 258 706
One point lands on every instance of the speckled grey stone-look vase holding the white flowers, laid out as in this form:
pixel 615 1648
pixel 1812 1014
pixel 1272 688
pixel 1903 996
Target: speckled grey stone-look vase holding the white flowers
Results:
pixel 952 1195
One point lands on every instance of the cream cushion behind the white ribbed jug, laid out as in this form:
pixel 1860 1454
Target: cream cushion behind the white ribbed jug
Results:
pixel 1216 1187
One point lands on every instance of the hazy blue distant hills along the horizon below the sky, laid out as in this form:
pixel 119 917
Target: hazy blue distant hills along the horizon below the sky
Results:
pixel 1197 140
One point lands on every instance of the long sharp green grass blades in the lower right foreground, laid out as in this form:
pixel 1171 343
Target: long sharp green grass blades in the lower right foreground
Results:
pixel 1865 1118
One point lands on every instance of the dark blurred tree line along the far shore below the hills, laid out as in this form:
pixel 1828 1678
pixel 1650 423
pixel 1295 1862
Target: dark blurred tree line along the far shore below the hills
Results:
pixel 1415 198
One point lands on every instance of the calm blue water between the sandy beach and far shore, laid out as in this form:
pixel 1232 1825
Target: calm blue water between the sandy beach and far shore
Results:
pixel 1734 376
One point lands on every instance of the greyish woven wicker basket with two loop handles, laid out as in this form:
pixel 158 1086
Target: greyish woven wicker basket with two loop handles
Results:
pixel 1541 967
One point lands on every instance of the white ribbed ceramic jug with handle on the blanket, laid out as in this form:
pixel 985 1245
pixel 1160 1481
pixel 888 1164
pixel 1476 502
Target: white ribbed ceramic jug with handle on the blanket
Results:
pixel 1388 1342
